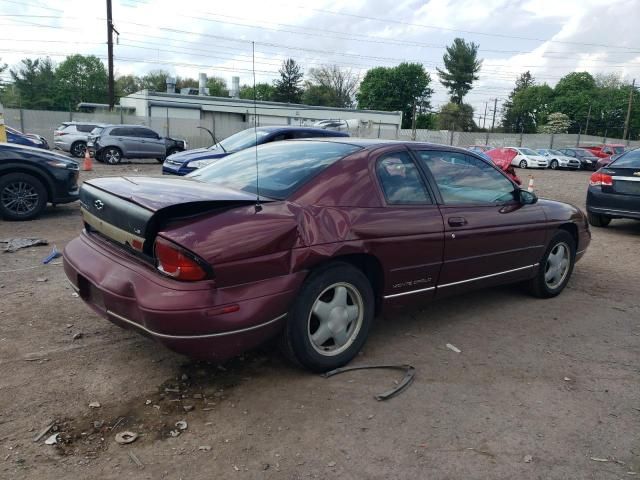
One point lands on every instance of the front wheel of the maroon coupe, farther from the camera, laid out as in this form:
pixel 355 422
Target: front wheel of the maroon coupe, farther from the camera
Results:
pixel 556 266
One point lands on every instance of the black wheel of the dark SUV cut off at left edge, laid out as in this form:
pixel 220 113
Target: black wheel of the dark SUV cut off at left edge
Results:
pixel 22 196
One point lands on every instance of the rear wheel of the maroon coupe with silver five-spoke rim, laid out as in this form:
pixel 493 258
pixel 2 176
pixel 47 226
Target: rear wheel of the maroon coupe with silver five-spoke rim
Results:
pixel 330 319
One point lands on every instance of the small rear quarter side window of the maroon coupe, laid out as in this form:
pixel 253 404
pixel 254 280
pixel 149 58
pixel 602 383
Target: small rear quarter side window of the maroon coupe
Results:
pixel 401 180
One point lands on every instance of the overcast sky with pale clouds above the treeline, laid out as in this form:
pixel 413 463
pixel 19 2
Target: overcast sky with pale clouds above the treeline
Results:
pixel 549 37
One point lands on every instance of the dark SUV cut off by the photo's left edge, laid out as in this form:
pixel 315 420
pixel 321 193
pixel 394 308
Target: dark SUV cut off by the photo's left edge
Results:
pixel 31 177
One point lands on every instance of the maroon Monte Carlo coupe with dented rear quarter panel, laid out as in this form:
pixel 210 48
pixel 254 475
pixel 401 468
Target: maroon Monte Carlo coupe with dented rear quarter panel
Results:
pixel 214 264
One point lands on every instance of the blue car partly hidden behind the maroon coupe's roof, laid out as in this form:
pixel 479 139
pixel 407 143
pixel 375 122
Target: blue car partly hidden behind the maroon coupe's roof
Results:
pixel 186 162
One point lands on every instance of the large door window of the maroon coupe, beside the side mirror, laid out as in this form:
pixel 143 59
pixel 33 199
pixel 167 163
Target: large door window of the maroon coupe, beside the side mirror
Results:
pixel 465 180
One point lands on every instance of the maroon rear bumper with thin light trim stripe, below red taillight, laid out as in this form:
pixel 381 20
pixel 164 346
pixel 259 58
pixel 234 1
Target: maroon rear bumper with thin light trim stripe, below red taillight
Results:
pixel 185 317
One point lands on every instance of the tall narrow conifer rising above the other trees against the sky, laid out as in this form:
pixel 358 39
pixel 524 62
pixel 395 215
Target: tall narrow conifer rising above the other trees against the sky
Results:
pixel 461 66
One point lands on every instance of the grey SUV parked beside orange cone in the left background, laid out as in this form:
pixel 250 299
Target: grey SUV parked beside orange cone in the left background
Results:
pixel 112 143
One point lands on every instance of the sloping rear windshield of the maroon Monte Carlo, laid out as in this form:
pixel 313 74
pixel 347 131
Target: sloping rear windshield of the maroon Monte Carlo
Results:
pixel 282 166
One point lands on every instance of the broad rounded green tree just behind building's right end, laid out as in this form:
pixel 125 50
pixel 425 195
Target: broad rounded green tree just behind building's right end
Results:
pixel 396 89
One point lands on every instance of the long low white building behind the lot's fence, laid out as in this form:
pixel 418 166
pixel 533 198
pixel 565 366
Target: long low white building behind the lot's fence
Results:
pixel 226 116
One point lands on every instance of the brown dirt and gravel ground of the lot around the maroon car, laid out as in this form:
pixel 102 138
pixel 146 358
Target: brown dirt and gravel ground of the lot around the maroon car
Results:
pixel 544 389
